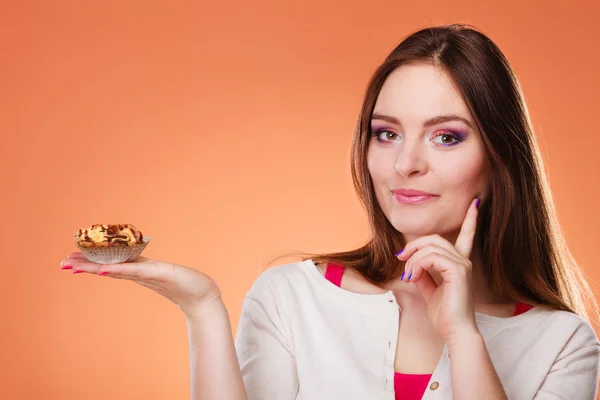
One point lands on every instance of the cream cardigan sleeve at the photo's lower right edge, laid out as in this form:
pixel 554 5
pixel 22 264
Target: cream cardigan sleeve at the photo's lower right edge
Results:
pixel 574 374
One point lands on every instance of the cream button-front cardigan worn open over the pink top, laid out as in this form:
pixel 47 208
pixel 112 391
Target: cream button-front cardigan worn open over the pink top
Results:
pixel 302 337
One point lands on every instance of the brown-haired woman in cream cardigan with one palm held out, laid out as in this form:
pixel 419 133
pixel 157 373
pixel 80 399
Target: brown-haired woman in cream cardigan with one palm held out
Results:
pixel 466 289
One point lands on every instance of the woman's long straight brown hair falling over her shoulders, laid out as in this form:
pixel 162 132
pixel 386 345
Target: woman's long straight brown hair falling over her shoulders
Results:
pixel 524 253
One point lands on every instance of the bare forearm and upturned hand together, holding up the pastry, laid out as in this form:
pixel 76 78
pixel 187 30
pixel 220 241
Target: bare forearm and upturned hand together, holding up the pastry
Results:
pixel 214 369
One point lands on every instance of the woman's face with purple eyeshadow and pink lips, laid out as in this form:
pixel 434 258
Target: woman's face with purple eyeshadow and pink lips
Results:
pixel 425 139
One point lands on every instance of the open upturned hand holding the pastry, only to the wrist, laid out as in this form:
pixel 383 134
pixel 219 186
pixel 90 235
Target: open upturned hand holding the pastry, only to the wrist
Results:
pixel 188 288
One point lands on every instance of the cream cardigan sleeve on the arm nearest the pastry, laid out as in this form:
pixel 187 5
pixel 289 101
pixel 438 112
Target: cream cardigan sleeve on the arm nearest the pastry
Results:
pixel 264 352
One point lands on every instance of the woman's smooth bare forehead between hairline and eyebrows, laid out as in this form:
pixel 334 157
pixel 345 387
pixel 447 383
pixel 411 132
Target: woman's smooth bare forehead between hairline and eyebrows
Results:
pixel 420 91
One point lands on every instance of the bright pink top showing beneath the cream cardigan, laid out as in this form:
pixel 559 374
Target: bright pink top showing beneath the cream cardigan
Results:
pixel 406 386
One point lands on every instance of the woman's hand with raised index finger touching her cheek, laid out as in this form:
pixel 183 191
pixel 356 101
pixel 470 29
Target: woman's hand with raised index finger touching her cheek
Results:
pixel 449 305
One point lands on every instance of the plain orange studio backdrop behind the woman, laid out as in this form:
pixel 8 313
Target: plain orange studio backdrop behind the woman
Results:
pixel 223 131
